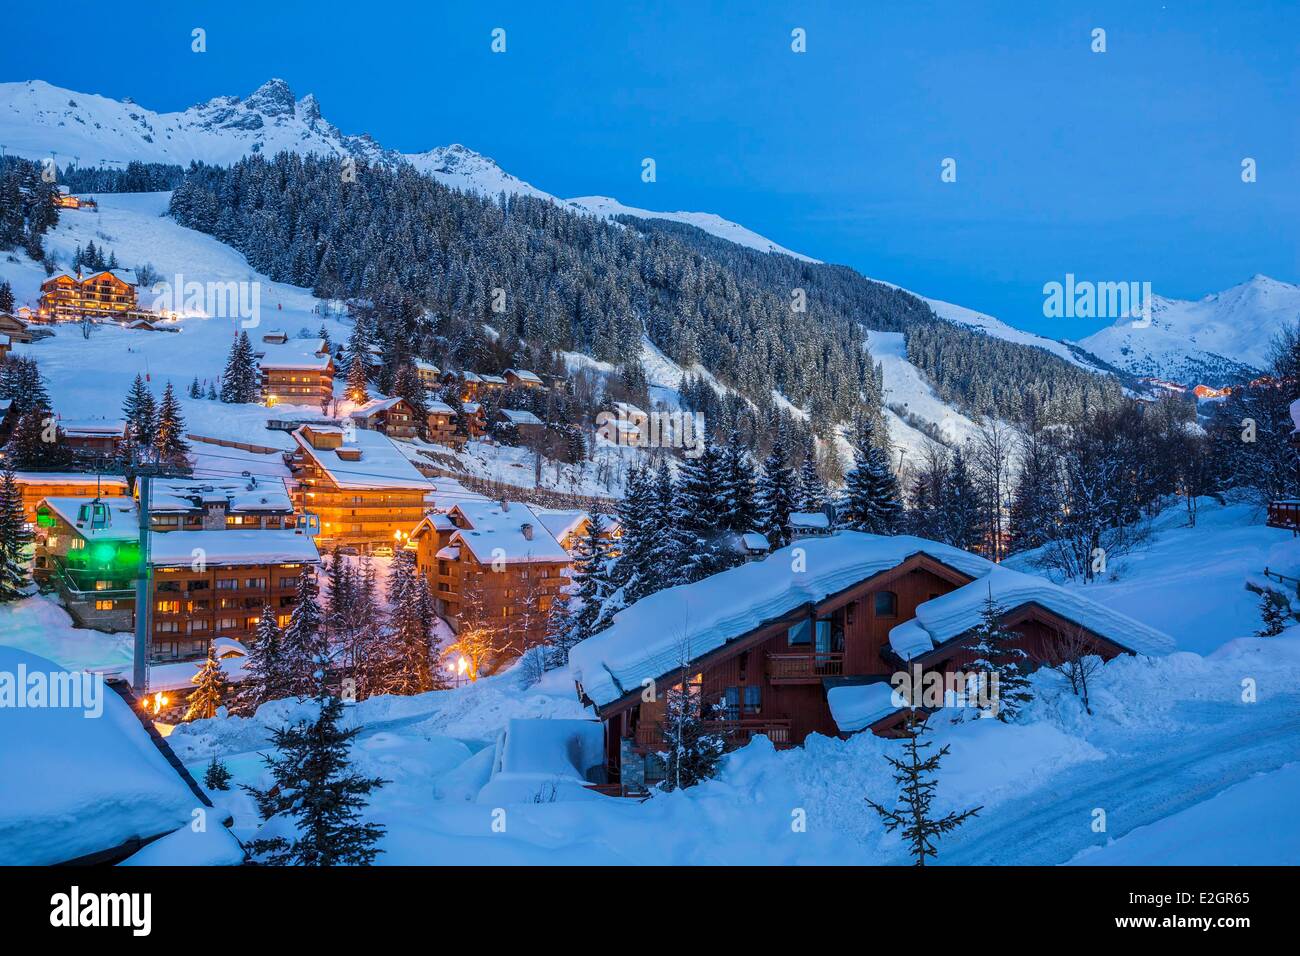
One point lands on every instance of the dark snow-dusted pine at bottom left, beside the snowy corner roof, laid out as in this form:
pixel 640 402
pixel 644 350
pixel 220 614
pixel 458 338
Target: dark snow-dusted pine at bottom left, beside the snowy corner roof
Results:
pixel 317 788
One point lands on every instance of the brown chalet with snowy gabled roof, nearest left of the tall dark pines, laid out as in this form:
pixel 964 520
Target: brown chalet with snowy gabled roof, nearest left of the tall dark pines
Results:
pixel 492 565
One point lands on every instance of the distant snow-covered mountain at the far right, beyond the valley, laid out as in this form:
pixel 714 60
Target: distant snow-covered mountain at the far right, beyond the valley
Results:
pixel 1207 341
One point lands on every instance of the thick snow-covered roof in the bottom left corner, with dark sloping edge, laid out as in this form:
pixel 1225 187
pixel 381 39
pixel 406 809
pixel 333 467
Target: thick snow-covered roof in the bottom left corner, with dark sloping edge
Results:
pixel 72 785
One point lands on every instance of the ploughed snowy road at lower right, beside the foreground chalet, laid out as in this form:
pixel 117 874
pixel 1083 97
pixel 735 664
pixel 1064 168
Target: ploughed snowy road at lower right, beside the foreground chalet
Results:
pixel 1217 749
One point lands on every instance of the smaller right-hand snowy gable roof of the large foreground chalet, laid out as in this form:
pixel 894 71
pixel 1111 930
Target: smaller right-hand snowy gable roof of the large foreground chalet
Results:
pixel 956 613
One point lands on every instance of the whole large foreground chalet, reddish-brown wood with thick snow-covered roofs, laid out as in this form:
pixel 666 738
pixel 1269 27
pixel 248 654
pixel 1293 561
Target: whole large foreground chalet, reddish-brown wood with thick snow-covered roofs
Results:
pixel 782 652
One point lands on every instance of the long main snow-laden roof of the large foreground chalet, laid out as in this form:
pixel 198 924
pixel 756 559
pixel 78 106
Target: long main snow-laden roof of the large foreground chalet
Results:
pixel 651 638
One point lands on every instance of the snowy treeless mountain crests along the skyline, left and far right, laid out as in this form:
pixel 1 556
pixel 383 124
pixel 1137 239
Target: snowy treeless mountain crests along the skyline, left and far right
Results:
pixel 1212 341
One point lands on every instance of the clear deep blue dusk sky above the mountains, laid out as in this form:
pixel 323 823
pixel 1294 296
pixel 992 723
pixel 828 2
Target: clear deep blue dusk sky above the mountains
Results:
pixel 1116 166
